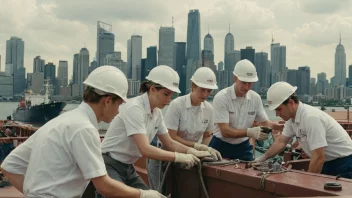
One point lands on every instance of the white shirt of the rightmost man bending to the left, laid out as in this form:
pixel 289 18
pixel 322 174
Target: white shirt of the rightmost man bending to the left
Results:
pixel 315 129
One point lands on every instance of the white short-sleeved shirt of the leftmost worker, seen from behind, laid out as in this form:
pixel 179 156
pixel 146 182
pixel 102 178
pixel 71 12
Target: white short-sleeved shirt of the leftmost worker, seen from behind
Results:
pixel 61 157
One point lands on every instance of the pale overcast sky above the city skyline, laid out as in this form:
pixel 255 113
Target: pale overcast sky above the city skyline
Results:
pixel 57 29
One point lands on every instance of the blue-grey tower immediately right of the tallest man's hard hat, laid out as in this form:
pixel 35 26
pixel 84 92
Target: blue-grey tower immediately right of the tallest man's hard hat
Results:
pixel 261 64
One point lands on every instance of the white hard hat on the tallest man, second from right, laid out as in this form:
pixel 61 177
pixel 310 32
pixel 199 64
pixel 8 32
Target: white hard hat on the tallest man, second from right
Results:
pixel 245 71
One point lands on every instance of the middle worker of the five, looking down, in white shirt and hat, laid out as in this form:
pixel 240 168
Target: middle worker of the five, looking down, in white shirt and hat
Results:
pixel 189 120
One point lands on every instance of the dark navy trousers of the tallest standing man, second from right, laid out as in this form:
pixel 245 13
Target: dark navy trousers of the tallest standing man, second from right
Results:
pixel 241 151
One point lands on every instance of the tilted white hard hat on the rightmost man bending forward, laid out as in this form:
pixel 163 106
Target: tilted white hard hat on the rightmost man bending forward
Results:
pixel 278 93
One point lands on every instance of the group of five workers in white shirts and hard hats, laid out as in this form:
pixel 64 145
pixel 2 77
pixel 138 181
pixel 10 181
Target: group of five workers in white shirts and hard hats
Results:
pixel 64 155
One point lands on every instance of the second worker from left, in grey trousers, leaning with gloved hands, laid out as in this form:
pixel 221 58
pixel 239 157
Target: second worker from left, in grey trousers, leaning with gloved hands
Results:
pixel 130 133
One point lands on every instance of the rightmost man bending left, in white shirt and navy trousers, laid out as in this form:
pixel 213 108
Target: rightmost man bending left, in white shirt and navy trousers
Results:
pixel 321 137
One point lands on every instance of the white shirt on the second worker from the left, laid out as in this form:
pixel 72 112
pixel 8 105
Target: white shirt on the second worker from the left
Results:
pixel 135 118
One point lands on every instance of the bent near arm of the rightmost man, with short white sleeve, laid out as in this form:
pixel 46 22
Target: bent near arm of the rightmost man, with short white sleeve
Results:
pixel 316 137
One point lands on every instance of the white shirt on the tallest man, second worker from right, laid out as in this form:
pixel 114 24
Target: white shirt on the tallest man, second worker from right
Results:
pixel 238 112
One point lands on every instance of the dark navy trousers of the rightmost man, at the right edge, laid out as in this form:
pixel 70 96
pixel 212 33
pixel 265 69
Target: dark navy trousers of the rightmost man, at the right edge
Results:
pixel 341 166
